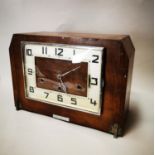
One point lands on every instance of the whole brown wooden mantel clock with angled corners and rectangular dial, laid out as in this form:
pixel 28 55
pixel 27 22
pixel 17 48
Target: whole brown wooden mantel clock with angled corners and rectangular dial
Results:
pixel 79 78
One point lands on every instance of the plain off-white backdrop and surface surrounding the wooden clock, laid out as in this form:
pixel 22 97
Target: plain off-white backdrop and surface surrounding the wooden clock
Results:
pixel 25 133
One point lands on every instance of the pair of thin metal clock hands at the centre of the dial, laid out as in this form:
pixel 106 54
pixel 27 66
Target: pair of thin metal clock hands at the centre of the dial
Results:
pixel 59 77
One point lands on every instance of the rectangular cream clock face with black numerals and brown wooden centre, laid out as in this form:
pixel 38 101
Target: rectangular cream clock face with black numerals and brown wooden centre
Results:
pixel 64 75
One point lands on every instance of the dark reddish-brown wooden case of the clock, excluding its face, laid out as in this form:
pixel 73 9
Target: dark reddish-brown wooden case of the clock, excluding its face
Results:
pixel 117 73
